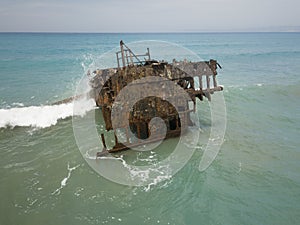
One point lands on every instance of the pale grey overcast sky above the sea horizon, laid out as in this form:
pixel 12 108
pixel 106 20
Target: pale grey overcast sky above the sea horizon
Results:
pixel 149 15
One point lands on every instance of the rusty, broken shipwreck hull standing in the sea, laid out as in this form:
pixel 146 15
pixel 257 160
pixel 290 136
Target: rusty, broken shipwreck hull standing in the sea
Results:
pixel 108 83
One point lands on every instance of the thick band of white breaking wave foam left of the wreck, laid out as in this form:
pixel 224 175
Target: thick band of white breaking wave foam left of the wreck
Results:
pixel 41 116
